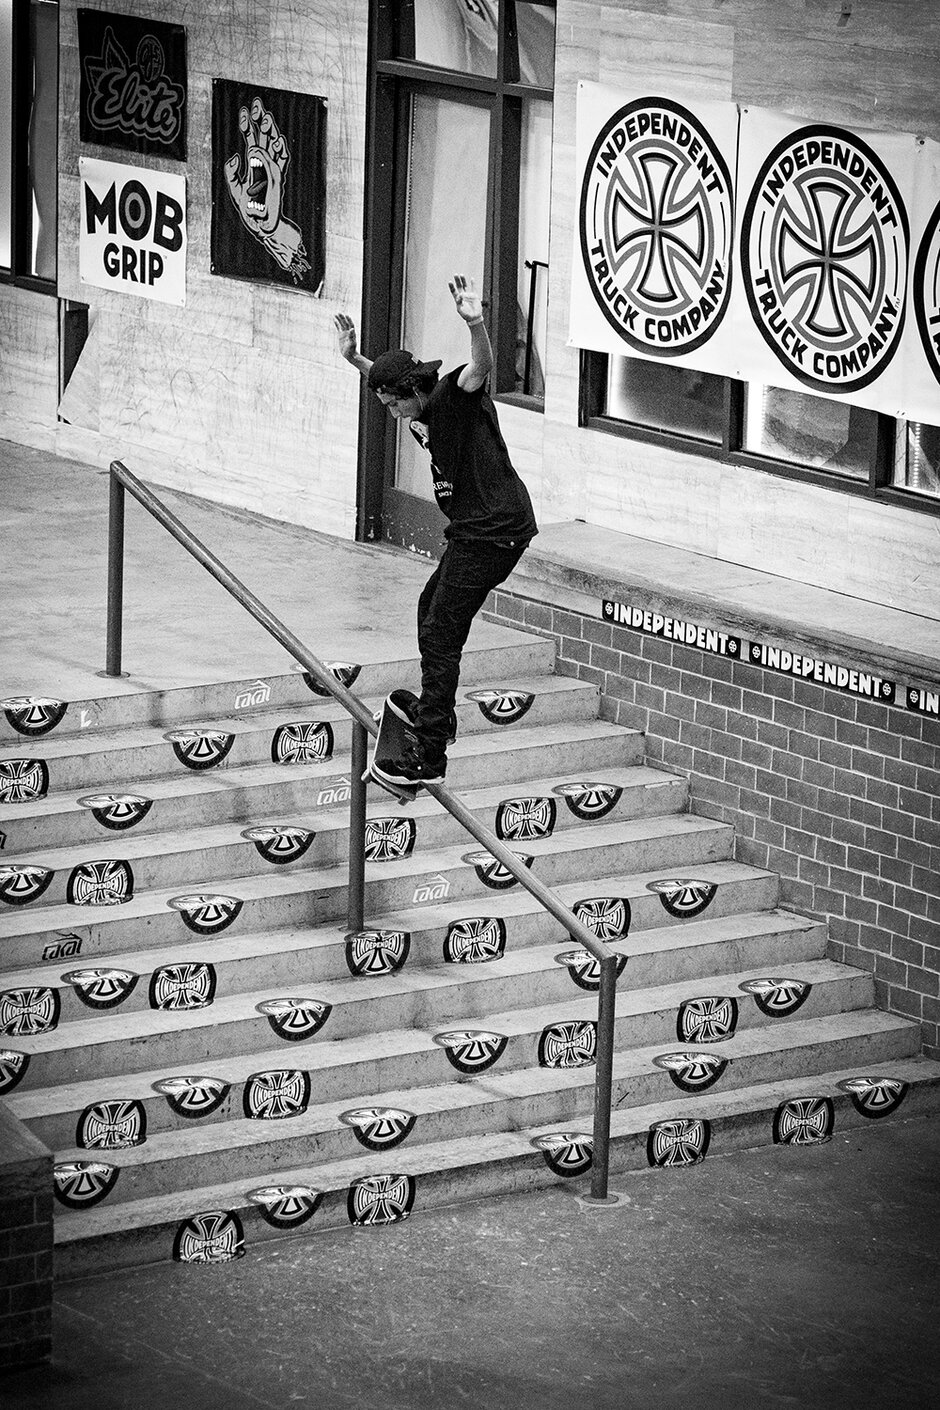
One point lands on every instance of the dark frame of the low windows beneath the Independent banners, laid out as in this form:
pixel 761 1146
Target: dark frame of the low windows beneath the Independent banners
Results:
pixel 877 489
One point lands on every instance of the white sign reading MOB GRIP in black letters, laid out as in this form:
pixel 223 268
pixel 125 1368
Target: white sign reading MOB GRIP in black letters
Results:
pixel 133 231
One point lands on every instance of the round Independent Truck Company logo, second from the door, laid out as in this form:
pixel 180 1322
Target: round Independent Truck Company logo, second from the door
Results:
pixel 825 257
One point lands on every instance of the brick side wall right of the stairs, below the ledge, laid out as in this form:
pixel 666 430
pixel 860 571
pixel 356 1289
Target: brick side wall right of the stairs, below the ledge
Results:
pixel 836 793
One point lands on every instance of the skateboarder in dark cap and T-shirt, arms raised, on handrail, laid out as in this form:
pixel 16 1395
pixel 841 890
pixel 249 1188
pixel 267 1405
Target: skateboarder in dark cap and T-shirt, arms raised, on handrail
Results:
pixel 488 507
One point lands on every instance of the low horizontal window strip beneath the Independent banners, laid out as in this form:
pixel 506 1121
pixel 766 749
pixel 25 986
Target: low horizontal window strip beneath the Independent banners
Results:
pixel 791 434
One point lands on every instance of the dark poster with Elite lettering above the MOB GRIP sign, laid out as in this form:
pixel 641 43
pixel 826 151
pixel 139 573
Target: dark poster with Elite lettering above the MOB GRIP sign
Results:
pixel 133 84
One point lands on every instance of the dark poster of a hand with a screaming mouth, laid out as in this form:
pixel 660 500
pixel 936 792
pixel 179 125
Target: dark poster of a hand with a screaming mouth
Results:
pixel 268 185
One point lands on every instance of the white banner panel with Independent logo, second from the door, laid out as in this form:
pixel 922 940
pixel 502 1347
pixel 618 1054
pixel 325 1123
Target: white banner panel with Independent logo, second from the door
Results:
pixel 825 256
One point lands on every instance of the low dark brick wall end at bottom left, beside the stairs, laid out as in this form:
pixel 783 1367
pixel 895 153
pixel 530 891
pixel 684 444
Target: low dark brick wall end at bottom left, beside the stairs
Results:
pixel 26 1246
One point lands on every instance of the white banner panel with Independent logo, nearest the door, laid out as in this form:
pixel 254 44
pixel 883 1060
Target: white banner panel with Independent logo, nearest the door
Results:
pixel 652 271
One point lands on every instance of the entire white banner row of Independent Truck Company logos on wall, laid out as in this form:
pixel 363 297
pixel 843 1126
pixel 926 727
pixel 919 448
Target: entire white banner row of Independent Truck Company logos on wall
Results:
pixel 815 266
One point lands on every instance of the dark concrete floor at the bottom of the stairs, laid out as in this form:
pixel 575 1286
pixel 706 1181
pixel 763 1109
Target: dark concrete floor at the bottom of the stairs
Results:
pixel 779 1278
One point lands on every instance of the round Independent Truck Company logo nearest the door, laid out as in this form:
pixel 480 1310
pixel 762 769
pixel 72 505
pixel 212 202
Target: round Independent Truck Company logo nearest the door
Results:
pixel 657 228
